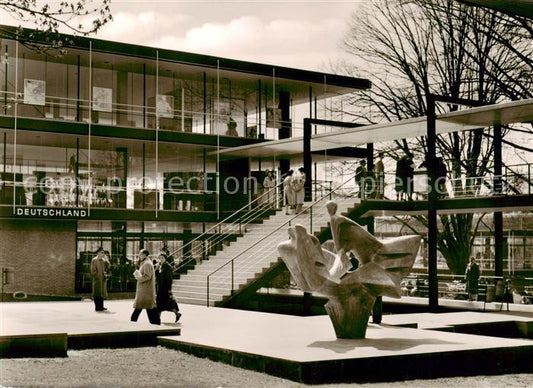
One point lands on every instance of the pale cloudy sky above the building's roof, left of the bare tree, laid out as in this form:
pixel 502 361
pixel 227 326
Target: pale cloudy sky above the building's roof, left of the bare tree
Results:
pixel 301 34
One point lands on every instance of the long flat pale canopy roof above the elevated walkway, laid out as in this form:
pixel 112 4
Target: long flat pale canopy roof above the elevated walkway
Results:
pixel 464 120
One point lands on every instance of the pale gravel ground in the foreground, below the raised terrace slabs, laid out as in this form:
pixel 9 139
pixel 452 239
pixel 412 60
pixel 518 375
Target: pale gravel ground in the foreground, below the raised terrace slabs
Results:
pixel 161 367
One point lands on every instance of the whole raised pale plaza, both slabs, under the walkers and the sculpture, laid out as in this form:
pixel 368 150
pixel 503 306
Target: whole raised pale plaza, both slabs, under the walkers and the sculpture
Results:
pixel 302 349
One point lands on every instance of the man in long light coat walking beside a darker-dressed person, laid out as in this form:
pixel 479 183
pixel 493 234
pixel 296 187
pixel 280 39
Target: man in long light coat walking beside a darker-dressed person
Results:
pixel 145 292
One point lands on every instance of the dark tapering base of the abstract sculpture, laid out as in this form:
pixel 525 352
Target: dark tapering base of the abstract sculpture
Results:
pixel 350 315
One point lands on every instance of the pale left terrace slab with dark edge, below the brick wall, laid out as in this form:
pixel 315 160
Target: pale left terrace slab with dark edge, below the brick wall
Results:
pixel 48 329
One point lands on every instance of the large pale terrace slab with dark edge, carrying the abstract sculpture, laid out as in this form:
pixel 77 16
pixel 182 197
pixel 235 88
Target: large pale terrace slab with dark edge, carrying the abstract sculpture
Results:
pixel 305 349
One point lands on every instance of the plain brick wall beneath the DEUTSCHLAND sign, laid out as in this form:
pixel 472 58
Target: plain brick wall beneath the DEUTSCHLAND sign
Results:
pixel 41 255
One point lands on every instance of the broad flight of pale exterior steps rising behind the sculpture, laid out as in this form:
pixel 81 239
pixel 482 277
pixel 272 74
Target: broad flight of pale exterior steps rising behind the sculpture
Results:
pixel 245 260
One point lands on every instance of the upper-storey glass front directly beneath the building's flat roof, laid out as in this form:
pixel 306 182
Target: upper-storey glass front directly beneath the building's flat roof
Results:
pixel 111 89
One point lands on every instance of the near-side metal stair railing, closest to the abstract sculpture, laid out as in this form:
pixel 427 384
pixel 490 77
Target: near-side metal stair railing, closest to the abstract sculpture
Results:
pixel 313 207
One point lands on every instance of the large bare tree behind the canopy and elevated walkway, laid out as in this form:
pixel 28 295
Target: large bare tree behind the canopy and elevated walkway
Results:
pixel 414 48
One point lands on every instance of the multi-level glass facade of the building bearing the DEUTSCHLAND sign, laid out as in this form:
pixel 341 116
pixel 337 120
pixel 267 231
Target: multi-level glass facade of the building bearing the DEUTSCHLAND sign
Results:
pixel 117 131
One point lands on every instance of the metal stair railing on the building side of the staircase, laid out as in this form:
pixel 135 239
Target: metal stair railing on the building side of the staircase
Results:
pixel 218 233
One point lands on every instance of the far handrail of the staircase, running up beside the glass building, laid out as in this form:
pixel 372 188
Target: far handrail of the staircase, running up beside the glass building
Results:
pixel 244 220
